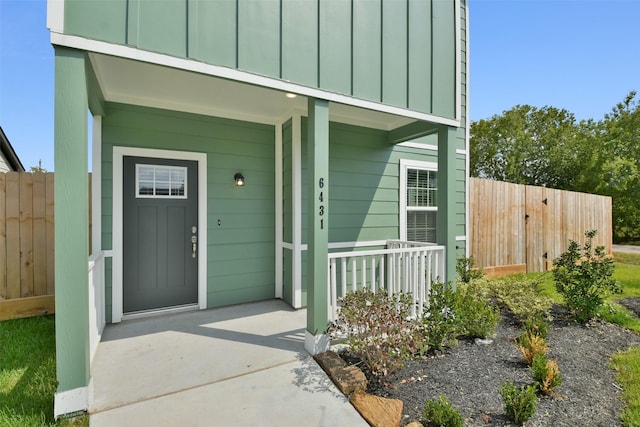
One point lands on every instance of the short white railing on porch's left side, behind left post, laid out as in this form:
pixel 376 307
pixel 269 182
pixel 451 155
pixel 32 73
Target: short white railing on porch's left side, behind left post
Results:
pixel 96 300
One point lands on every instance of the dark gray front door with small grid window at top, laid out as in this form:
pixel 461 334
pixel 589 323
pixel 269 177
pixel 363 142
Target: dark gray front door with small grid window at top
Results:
pixel 160 262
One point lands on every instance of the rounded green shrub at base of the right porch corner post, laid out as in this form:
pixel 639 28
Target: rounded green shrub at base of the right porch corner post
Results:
pixel 477 317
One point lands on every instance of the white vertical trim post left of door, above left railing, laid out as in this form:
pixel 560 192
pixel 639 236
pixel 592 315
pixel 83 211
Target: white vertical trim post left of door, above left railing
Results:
pixel 96 185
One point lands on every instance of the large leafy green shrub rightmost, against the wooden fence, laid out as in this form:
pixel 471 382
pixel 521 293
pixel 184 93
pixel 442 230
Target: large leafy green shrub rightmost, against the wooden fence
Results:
pixel 584 277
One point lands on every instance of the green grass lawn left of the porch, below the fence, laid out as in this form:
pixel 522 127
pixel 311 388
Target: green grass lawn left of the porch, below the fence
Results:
pixel 28 373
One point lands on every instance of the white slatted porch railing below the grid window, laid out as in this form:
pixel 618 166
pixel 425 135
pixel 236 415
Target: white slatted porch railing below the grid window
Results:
pixel 407 267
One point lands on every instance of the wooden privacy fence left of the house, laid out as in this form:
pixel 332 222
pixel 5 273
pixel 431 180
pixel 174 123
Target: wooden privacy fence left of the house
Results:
pixel 26 244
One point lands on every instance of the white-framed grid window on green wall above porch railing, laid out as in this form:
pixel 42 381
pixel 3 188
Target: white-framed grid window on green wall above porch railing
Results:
pixel 419 204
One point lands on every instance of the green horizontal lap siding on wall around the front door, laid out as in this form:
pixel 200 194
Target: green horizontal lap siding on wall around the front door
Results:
pixel 241 249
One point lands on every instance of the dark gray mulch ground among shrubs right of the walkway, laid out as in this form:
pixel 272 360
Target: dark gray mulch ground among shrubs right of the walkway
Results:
pixel 470 374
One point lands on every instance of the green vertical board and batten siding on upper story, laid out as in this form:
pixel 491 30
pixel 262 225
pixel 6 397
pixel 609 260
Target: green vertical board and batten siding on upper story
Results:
pixel 397 52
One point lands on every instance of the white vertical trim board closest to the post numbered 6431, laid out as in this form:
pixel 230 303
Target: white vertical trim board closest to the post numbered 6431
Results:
pixel 296 197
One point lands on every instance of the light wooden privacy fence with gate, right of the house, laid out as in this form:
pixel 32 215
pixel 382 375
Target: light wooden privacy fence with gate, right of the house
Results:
pixel 518 228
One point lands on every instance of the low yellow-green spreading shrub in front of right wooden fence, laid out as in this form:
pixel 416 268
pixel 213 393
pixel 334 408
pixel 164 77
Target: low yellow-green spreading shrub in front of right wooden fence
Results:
pixel 518 293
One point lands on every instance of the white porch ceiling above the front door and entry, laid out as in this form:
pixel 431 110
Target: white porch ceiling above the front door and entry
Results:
pixel 145 84
